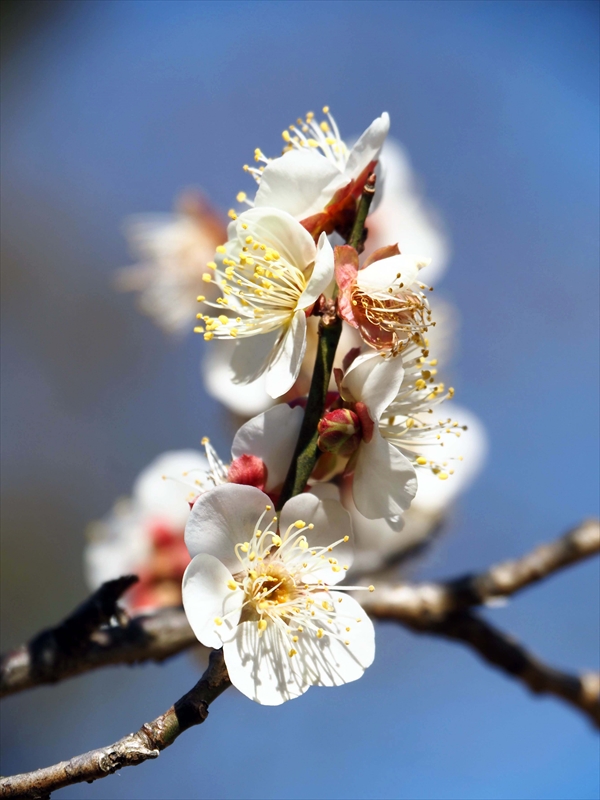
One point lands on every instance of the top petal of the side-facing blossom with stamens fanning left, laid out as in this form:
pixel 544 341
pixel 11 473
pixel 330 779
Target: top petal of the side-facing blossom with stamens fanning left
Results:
pixel 281 231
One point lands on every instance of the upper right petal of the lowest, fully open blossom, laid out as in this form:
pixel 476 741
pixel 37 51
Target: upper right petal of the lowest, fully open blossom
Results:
pixel 332 523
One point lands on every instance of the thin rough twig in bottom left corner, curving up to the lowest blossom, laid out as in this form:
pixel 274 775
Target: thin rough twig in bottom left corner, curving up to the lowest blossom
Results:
pixel 134 749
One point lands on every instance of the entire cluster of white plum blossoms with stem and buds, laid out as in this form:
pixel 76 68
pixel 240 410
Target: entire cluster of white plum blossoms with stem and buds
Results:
pixel 301 277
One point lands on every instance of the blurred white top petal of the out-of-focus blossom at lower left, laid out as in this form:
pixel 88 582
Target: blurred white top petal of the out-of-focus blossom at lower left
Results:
pixel 163 489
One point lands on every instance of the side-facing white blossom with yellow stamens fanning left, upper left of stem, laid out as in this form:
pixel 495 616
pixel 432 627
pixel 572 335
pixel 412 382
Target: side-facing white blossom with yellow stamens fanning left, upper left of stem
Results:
pixel 270 273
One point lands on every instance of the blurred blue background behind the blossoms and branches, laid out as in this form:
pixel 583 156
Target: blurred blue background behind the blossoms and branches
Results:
pixel 110 108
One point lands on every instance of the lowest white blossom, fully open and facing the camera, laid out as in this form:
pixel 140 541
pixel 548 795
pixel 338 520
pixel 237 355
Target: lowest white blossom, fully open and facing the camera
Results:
pixel 263 589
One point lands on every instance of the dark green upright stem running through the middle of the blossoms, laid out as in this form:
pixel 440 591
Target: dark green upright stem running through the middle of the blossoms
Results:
pixel 307 451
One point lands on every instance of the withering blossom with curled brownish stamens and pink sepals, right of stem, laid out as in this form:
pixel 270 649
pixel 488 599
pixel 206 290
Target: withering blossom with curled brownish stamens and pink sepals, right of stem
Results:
pixel 385 300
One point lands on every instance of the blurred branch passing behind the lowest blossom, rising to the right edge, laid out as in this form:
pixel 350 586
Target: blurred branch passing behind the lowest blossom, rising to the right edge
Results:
pixel 165 633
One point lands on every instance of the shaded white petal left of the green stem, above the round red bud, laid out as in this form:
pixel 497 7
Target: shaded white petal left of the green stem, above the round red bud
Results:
pixel 271 436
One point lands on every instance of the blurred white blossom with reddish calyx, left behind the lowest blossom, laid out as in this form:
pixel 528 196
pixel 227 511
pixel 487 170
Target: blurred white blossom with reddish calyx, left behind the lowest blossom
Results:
pixel 143 534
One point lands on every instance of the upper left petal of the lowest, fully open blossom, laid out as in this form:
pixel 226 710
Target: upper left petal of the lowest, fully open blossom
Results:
pixel 223 517
